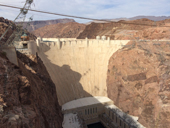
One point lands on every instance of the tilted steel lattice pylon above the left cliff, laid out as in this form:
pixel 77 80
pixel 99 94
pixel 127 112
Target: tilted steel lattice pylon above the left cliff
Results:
pixel 18 31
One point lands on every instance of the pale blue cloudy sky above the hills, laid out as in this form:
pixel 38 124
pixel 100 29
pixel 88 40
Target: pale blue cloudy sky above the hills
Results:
pixel 99 9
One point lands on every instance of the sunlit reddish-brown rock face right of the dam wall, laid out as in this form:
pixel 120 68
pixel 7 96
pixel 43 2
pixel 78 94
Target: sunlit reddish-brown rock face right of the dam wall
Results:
pixel 138 82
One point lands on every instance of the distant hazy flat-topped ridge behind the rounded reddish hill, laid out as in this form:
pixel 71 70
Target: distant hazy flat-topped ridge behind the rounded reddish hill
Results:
pixel 33 25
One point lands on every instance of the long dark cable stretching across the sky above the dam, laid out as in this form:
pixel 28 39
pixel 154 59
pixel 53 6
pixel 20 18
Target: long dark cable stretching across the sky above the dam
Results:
pixel 77 16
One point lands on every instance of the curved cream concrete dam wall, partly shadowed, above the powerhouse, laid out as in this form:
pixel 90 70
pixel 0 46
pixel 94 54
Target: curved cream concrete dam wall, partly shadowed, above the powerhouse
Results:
pixel 78 67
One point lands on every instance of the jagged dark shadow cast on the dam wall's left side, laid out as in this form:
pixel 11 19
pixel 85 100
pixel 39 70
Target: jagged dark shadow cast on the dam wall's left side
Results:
pixel 65 79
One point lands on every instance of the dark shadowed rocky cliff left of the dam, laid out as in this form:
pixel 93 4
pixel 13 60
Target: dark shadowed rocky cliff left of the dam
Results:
pixel 27 95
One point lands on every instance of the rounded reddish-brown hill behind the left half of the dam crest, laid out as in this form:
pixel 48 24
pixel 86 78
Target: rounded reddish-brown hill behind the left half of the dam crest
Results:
pixel 60 30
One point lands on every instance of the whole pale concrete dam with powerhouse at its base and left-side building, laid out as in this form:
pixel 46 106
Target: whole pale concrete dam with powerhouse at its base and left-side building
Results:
pixel 79 70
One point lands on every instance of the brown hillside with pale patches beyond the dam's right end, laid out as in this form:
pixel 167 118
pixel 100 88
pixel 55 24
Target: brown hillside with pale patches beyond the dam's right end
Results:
pixel 128 30
